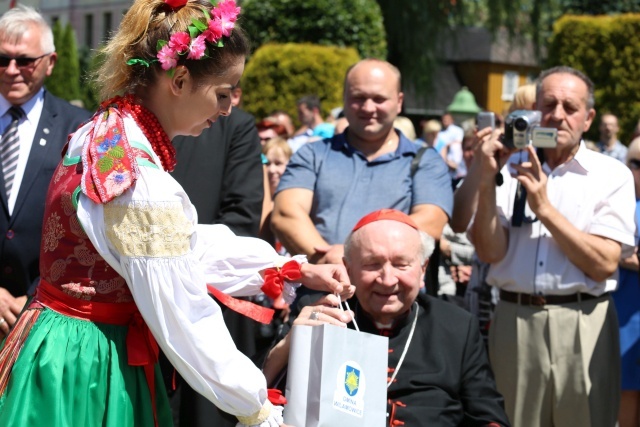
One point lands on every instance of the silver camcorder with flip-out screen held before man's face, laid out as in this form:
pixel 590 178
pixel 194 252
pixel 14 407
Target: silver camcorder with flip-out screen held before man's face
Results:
pixel 522 128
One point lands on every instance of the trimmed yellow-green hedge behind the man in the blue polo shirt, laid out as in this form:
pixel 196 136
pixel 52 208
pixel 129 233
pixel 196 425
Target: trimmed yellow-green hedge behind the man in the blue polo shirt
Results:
pixel 278 74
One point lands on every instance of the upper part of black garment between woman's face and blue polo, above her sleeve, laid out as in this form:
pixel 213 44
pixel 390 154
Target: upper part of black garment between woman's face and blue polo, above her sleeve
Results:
pixel 221 172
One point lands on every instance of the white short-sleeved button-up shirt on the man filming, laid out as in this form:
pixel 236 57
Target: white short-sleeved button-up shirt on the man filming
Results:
pixel 596 194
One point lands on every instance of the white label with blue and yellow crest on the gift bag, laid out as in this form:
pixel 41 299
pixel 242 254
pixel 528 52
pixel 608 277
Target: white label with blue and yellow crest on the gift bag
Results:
pixel 350 388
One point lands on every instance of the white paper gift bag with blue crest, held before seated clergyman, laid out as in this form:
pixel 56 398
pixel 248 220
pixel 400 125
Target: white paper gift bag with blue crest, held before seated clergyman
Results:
pixel 336 377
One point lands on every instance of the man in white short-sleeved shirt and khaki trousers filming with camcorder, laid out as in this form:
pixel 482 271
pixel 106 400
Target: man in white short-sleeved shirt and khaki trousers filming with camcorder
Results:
pixel 553 234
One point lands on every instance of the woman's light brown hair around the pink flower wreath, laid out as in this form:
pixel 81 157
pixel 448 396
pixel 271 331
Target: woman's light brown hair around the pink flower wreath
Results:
pixel 147 22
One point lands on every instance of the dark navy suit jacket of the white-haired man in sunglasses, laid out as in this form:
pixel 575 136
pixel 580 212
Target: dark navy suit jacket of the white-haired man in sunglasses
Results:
pixel 20 233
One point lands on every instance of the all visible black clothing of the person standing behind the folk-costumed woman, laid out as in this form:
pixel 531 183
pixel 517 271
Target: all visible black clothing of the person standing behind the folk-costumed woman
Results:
pixel 221 172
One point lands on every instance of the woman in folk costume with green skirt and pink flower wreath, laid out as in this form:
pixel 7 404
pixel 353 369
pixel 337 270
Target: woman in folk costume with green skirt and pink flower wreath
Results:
pixel 124 264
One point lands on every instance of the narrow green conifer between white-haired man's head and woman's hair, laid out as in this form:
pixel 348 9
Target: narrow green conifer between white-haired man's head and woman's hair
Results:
pixel 65 78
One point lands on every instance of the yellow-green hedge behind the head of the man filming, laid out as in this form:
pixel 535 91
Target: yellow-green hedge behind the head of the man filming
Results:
pixel 607 49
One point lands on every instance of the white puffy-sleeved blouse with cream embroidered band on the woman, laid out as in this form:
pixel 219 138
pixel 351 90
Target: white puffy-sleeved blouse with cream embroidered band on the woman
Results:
pixel 150 235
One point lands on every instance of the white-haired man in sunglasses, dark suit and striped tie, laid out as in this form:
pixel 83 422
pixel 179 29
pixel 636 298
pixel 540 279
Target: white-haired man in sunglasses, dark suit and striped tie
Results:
pixel 34 126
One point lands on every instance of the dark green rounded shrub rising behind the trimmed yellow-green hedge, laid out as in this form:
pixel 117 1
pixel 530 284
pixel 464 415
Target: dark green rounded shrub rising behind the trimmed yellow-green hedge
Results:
pixel 353 23
